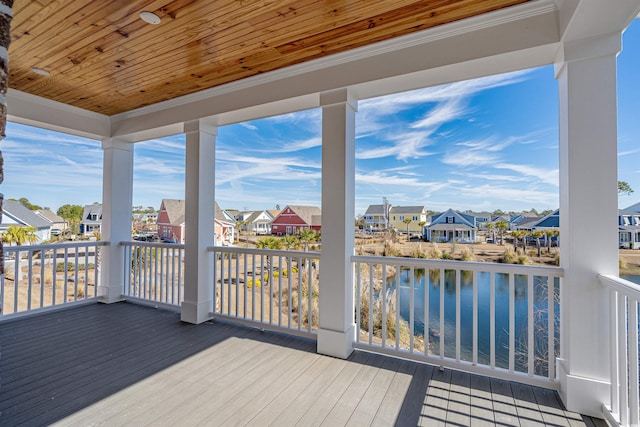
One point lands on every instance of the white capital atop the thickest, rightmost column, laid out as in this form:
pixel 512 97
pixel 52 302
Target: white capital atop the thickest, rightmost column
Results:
pixel 589 48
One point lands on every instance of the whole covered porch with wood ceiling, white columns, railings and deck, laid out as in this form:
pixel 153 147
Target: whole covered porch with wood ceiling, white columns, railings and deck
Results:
pixel 98 70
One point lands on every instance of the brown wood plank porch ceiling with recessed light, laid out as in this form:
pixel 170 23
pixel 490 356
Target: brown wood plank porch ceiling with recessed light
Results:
pixel 102 57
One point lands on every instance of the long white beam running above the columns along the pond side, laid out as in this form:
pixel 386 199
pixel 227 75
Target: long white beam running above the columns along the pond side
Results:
pixel 495 40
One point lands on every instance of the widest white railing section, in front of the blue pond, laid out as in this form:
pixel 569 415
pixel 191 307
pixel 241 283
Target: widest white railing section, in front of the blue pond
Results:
pixel 493 319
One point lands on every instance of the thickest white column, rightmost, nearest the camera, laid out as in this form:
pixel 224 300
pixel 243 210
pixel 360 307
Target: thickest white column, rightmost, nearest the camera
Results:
pixel 586 75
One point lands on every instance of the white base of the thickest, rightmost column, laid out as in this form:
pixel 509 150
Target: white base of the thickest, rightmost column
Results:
pixel 580 394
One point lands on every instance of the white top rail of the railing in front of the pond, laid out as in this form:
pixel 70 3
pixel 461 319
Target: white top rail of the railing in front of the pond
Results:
pixel 535 270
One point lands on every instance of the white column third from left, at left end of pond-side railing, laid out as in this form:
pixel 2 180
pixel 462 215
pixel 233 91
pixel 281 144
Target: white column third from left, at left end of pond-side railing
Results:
pixel 337 328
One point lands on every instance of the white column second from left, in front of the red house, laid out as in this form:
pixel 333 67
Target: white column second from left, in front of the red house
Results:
pixel 199 217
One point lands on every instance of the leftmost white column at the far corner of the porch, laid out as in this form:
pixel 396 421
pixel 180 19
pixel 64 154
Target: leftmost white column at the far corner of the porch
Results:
pixel 117 190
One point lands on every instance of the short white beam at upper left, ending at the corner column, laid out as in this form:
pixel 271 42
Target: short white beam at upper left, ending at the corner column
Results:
pixel 36 111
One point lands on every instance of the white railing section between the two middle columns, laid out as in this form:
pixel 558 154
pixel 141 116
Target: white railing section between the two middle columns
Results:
pixel 267 288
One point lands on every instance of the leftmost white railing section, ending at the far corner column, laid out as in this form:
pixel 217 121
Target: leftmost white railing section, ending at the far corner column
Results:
pixel 40 277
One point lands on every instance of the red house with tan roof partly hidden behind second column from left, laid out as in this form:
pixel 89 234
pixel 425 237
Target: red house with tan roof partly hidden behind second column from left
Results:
pixel 171 223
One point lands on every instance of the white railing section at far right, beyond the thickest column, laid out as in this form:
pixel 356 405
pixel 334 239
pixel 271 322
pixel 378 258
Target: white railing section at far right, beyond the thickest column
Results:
pixel 624 299
